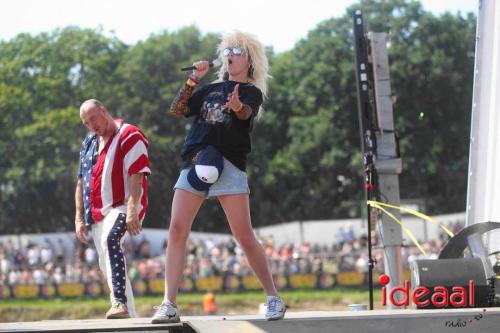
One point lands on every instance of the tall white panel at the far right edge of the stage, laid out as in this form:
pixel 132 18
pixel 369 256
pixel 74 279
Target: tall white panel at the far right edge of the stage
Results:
pixel 483 194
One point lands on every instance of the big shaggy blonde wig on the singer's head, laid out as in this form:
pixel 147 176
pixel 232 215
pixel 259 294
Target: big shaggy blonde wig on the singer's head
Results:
pixel 254 51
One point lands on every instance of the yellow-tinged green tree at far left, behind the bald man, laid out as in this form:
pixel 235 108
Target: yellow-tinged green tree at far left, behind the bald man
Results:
pixel 42 81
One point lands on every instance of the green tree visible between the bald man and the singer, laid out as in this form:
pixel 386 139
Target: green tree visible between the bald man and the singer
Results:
pixel 149 79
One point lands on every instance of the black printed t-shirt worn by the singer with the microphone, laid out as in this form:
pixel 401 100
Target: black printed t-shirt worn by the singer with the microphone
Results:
pixel 220 127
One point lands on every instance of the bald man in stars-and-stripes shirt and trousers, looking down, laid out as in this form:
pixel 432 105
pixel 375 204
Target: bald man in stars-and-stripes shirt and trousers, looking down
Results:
pixel 111 196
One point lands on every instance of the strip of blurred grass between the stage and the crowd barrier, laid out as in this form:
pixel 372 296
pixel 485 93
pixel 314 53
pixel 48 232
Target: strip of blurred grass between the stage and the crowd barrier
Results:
pixel 190 304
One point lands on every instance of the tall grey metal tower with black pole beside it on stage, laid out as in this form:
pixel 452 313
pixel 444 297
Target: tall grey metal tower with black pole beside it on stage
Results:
pixel 381 160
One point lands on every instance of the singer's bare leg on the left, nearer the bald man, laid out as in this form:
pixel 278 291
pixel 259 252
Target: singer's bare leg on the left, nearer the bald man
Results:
pixel 185 206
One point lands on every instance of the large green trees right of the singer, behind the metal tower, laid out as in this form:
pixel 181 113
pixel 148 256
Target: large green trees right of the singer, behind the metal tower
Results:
pixel 317 165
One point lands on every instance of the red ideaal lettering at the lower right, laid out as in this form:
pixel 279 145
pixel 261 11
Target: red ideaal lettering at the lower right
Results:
pixel 423 296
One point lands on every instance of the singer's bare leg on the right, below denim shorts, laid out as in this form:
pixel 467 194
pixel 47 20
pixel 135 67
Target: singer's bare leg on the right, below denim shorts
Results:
pixel 237 211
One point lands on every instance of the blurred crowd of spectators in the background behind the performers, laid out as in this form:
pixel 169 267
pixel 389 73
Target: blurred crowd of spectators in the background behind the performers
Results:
pixel 50 262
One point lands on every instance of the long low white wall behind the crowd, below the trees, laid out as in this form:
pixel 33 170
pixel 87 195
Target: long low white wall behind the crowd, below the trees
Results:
pixel 322 232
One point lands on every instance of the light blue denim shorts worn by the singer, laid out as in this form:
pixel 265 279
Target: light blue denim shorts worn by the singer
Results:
pixel 231 181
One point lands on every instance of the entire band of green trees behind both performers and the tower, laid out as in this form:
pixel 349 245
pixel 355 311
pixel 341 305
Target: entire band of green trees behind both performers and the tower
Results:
pixel 306 161
